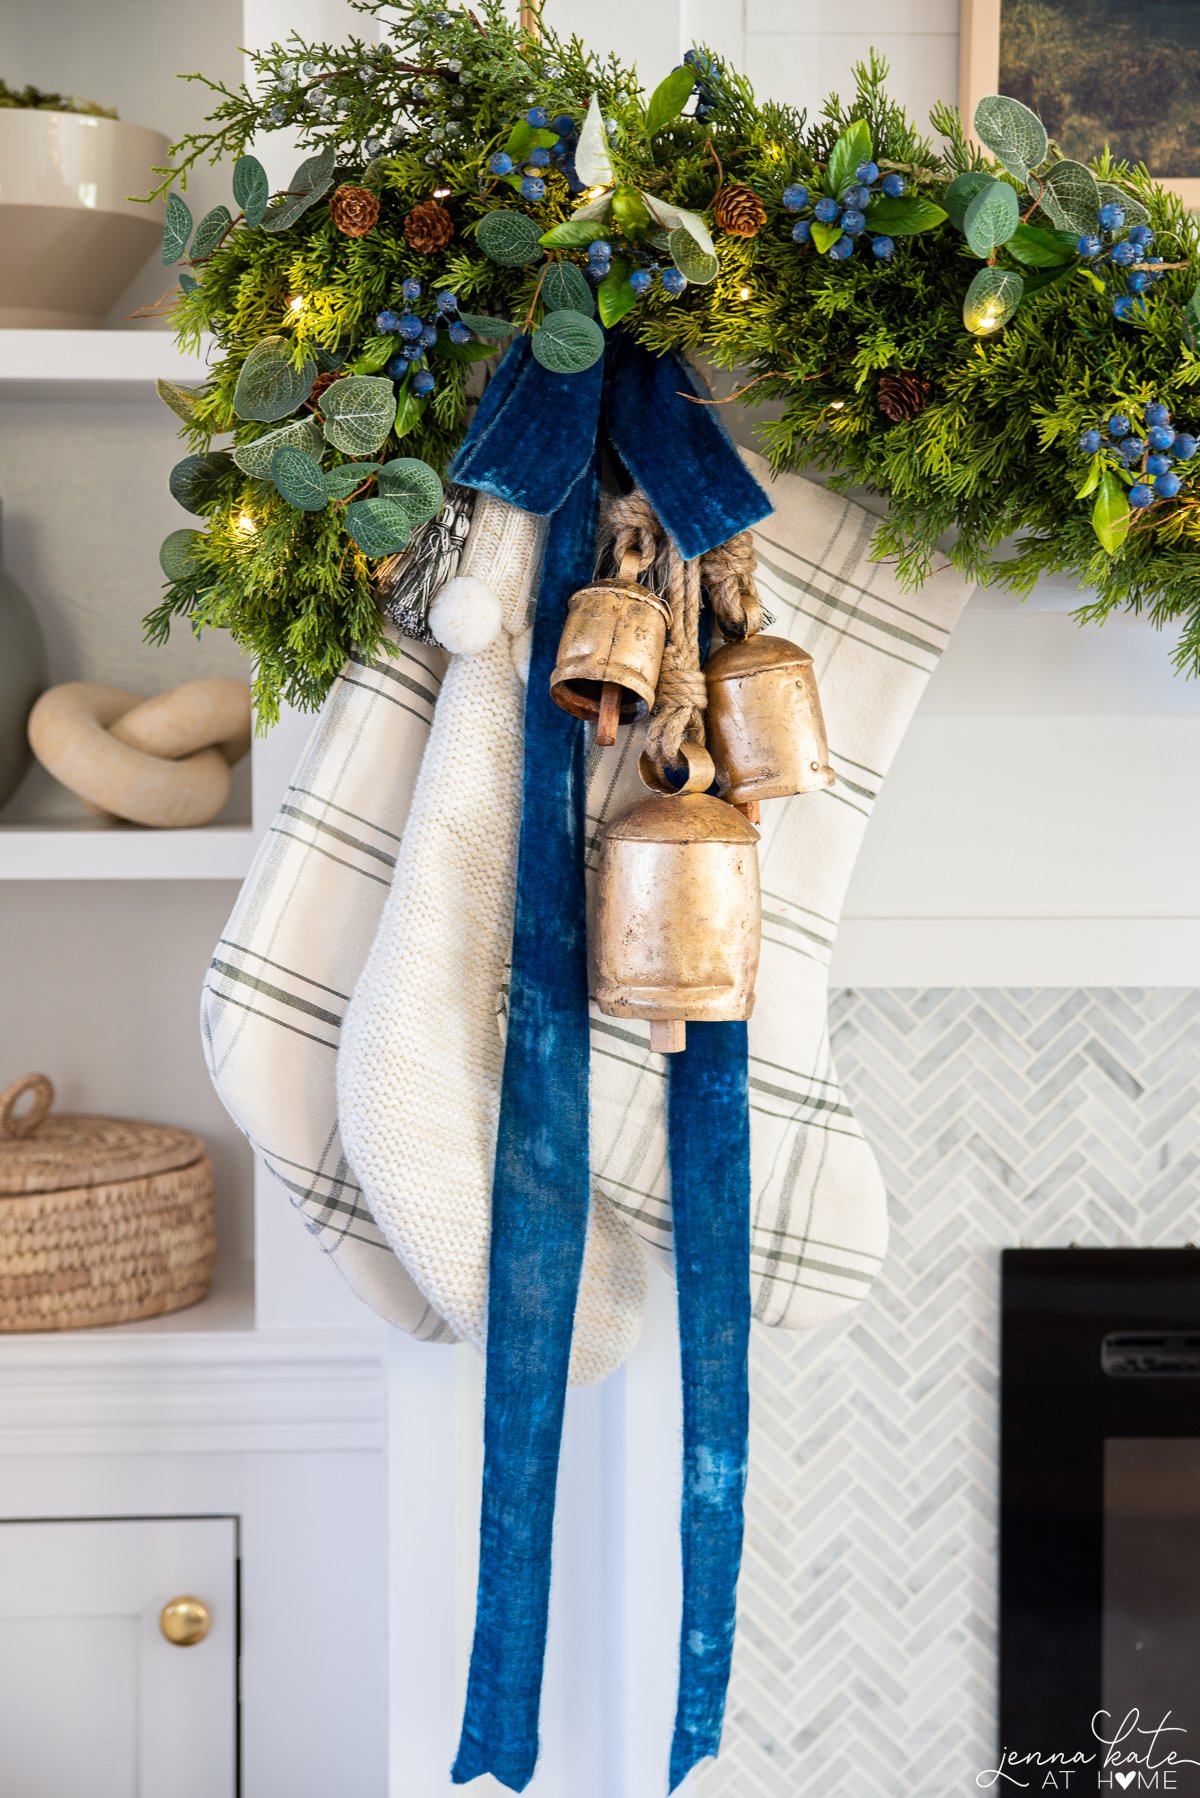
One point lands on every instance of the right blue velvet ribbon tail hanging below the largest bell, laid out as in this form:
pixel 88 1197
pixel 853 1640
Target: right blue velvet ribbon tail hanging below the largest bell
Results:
pixel 710 1146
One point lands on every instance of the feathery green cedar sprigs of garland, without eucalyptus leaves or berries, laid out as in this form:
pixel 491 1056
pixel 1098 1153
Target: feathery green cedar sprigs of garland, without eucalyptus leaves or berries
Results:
pixel 992 456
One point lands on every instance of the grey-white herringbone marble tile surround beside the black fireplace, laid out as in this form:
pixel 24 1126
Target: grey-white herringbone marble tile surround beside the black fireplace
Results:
pixel 866 1633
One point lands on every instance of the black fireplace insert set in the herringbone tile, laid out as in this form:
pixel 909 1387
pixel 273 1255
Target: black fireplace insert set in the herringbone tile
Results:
pixel 1100 1517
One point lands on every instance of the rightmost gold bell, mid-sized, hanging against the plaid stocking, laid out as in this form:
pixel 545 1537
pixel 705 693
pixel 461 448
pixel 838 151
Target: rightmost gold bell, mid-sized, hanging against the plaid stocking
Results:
pixel 764 724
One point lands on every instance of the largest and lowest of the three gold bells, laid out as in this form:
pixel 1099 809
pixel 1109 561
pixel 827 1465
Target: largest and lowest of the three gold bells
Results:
pixel 677 909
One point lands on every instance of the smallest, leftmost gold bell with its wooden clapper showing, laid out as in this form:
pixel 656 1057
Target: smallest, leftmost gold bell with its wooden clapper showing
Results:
pixel 611 652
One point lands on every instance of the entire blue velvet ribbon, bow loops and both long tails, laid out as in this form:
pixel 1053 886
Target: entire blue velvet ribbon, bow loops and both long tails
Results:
pixel 537 441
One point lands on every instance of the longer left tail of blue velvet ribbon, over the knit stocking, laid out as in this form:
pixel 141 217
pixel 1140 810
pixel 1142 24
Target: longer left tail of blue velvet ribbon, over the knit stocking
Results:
pixel 541 1198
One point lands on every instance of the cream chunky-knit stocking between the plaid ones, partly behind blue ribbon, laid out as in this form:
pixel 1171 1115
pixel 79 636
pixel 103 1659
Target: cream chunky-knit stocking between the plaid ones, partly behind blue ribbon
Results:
pixel 422 1047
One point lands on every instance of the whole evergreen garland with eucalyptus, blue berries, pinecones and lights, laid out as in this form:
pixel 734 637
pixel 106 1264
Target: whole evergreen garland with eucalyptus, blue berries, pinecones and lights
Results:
pixel 956 373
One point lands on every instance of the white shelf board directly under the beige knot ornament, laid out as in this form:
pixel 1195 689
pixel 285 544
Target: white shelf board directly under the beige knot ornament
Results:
pixel 125 853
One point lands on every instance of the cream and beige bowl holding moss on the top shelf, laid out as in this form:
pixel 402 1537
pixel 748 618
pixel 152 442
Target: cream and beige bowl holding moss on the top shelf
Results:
pixel 71 236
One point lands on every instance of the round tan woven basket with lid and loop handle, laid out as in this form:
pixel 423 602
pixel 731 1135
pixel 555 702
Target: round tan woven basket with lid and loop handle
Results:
pixel 102 1220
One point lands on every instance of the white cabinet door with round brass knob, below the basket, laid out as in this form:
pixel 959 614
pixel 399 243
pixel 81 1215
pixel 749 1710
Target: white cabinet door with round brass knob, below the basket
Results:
pixel 93 1696
